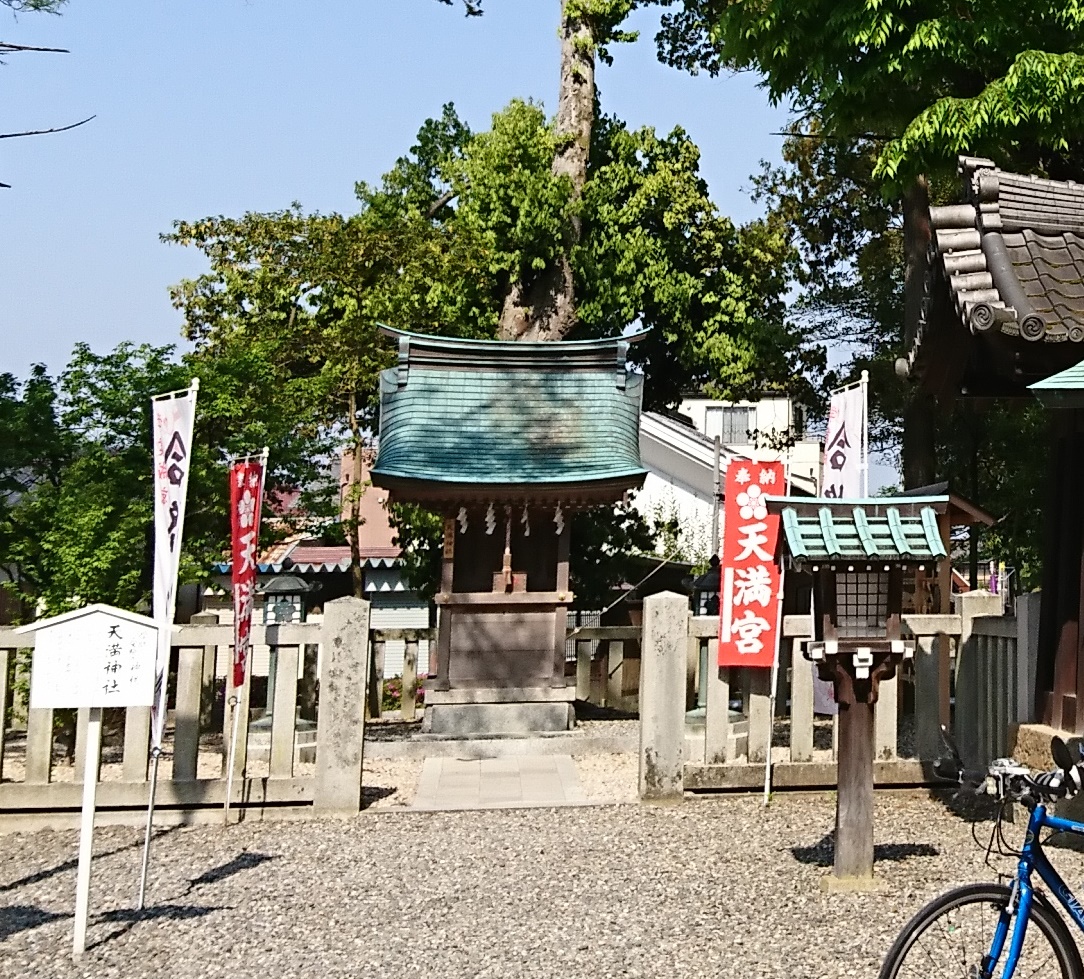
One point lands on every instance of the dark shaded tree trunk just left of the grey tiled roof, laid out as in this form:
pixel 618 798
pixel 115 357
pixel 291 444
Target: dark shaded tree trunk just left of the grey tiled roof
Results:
pixel 920 446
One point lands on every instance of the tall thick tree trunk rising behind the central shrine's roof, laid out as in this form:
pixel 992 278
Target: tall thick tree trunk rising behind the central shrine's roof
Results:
pixel 545 310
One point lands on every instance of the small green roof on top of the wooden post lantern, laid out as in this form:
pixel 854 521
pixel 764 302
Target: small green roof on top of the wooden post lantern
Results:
pixel 895 530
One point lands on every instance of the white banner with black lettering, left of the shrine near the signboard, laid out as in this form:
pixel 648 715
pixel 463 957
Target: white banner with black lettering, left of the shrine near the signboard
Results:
pixel 174 417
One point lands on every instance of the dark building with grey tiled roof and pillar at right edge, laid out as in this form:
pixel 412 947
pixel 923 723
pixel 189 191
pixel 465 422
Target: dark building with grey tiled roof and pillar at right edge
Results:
pixel 1003 311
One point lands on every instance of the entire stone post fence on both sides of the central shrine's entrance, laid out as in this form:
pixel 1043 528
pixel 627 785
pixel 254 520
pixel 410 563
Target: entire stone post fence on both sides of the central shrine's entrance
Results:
pixel 703 727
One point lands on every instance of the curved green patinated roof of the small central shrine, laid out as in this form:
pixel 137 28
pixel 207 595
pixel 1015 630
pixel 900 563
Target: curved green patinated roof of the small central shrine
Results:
pixel 489 413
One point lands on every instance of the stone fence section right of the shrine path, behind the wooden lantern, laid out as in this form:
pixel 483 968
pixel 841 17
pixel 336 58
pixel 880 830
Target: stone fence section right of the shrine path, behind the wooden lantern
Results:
pixel 974 672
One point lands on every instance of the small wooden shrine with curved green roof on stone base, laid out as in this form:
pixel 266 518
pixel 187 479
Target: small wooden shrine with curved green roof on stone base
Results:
pixel 506 441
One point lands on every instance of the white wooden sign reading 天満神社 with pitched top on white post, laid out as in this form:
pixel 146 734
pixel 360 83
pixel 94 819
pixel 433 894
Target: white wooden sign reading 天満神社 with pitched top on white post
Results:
pixel 93 658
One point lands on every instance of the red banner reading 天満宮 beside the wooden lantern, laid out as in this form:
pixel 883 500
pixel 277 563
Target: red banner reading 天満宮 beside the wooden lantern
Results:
pixel 751 596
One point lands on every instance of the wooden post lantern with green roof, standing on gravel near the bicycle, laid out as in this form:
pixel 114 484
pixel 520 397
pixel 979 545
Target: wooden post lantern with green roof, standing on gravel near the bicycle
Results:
pixel 858 552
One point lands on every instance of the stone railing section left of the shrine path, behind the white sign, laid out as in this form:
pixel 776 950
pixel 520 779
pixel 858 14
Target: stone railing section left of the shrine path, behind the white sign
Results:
pixel 285 758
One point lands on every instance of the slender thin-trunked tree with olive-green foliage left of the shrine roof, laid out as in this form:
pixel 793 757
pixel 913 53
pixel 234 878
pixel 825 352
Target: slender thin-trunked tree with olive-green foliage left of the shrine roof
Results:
pixel 305 294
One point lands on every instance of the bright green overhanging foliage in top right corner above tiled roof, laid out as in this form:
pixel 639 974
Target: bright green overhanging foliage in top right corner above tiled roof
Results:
pixel 1000 79
